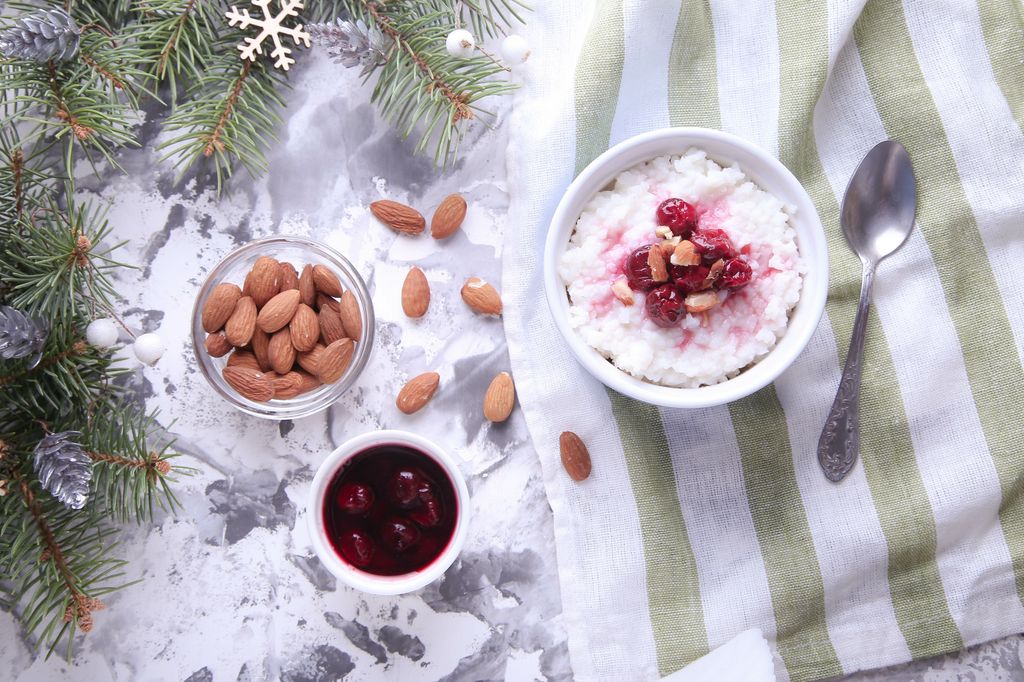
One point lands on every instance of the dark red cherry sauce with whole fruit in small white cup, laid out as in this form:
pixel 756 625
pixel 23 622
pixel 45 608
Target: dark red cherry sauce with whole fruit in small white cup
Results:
pixel 391 511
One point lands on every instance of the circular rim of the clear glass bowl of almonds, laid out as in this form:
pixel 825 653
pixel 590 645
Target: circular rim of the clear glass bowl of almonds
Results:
pixel 327 396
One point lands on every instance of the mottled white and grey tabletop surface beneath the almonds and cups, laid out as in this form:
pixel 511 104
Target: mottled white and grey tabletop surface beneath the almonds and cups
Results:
pixel 231 589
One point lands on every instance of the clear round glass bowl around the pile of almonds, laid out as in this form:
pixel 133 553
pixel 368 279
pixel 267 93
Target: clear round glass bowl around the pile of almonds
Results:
pixel 300 252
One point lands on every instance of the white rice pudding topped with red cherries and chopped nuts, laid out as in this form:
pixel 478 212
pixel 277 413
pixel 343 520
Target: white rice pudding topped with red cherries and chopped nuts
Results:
pixel 684 273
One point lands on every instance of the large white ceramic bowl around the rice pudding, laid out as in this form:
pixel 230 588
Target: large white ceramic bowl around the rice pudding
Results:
pixel 767 173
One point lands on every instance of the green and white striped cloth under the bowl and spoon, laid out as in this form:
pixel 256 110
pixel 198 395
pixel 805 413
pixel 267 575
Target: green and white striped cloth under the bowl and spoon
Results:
pixel 698 525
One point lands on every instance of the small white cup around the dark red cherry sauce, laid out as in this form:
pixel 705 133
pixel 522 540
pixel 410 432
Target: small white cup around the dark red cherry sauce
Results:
pixel 361 580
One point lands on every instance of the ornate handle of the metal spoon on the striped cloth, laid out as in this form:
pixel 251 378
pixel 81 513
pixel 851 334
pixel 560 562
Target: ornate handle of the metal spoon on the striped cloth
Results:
pixel 840 442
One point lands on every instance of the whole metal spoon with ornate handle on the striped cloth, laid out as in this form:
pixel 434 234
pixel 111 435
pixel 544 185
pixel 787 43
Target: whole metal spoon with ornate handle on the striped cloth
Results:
pixel 877 219
